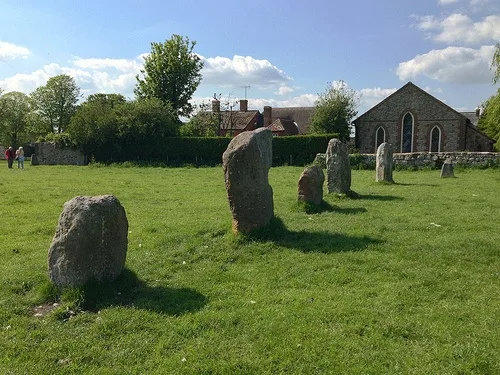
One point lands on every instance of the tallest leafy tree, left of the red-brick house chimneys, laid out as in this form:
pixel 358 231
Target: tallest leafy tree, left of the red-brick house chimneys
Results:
pixel 171 73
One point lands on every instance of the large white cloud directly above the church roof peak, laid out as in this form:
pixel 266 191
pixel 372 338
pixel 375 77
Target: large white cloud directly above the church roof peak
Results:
pixel 452 65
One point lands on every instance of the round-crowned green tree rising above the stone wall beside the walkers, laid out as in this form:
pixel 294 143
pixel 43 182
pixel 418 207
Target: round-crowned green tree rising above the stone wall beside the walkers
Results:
pixel 56 101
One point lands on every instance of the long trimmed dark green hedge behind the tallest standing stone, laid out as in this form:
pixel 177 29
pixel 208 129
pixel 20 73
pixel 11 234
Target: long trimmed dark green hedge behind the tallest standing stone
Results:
pixel 294 150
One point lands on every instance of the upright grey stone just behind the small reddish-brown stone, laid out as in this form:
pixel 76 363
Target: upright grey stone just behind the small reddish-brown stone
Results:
pixel 338 167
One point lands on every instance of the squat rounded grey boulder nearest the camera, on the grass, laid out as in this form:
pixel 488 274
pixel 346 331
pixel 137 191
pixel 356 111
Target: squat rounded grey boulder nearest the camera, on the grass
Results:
pixel 90 241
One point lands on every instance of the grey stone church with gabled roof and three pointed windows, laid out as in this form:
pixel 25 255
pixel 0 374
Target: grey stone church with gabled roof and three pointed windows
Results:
pixel 412 120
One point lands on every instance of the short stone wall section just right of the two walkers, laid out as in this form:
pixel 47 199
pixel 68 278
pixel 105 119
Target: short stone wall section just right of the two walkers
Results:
pixel 48 153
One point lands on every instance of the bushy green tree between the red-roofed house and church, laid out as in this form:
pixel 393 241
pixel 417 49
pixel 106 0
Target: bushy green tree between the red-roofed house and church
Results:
pixel 335 109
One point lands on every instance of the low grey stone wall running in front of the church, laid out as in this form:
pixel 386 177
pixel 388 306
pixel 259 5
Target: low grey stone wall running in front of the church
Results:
pixel 424 159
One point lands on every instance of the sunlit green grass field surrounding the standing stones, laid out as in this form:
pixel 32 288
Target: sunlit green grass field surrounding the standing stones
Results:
pixel 405 280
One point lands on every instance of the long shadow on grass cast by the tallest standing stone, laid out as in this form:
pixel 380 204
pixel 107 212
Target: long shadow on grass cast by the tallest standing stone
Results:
pixel 320 242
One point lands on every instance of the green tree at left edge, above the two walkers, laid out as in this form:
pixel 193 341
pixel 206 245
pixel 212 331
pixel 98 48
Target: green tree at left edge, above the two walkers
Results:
pixel 15 108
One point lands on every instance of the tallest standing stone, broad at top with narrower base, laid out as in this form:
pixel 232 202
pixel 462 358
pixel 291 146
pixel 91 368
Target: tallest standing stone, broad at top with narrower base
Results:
pixel 246 164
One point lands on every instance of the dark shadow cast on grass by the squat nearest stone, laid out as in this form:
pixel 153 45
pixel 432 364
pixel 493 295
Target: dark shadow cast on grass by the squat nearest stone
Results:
pixel 128 290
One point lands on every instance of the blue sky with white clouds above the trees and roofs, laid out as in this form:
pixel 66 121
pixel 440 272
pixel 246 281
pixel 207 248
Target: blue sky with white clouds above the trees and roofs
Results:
pixel 286 51
